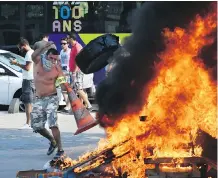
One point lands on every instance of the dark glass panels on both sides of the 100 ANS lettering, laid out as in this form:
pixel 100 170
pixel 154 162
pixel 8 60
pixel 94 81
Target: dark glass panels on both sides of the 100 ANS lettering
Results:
pixel 30 19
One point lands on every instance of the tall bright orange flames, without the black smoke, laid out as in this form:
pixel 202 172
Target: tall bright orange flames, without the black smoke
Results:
pixel 181 99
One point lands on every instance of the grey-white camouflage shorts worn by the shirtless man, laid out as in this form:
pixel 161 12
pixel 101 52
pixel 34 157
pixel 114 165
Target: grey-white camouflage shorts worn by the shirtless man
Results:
pixel 44 109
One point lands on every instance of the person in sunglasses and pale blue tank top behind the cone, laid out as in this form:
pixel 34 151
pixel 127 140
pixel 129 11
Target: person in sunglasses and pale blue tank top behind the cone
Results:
pixel 65 57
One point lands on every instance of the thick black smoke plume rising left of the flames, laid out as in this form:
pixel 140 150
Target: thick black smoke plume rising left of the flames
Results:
pixel 121 92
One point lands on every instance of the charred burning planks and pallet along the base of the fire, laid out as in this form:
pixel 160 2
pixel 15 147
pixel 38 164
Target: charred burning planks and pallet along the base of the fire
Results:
pixel 98 164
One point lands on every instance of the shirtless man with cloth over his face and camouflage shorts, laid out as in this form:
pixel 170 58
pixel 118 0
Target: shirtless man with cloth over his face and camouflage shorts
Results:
pixel 47 69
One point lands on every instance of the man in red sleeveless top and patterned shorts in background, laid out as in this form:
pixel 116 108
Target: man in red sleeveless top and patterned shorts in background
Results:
pixel 77 75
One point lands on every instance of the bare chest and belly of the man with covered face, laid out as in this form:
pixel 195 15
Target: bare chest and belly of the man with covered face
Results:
pixel 44 81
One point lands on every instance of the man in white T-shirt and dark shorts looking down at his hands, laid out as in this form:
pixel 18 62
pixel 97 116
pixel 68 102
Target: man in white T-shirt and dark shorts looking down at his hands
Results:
pixel 27 84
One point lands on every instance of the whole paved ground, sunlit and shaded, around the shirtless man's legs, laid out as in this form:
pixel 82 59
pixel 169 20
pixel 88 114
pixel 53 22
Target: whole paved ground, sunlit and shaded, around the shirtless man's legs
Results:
pixel 25 150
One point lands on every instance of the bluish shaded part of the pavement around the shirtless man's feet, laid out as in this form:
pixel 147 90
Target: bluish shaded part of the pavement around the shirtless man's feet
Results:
pixel 25 150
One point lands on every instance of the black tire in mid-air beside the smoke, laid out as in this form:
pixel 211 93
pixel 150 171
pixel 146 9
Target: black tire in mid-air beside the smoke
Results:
pixel 94 56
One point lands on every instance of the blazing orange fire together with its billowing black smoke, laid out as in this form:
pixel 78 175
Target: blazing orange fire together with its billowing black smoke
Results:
pixel 177 93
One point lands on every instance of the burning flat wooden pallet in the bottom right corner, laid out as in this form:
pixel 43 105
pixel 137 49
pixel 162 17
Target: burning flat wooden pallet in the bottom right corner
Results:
pixel 179 167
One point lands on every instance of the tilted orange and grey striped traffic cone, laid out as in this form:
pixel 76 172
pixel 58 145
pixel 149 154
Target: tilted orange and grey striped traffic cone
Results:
pixel 84 119
